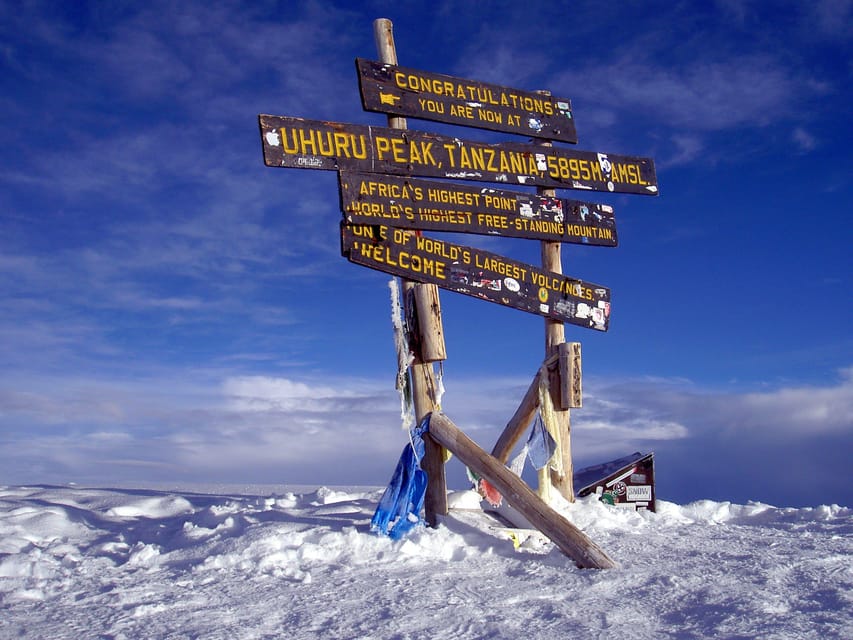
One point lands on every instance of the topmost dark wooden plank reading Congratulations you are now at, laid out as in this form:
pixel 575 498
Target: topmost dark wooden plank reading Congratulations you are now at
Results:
pixel 387 88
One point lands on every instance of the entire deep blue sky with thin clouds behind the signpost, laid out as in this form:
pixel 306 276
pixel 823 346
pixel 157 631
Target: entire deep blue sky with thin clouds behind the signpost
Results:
pixel 171 310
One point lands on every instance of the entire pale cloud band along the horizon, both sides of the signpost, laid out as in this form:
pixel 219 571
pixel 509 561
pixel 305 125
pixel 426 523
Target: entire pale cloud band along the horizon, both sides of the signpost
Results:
pixel 267 429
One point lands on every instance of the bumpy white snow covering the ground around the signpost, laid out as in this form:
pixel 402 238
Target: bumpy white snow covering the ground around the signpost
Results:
pixel 300 563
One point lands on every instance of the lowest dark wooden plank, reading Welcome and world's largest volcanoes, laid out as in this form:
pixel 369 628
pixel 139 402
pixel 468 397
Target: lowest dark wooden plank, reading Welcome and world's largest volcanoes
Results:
pixel 477 273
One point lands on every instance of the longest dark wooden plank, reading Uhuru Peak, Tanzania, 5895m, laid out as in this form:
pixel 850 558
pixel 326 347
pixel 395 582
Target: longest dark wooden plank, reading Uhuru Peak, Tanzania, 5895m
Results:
pixel 314 144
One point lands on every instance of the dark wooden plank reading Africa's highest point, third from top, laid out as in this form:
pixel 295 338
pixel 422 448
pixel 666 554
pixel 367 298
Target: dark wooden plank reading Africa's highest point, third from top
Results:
pixel 412 203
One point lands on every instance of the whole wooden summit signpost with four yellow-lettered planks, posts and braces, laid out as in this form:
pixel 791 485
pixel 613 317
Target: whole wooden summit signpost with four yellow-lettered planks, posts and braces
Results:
pixel 385 208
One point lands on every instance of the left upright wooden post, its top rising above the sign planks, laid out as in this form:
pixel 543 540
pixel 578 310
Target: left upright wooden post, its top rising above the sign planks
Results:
pixel 421 297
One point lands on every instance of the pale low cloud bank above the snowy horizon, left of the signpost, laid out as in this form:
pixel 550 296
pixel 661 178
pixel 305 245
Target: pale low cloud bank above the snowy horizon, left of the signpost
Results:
pixel 245 427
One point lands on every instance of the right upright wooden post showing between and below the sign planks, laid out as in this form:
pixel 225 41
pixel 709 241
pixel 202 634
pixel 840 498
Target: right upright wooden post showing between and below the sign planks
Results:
pixel 555 334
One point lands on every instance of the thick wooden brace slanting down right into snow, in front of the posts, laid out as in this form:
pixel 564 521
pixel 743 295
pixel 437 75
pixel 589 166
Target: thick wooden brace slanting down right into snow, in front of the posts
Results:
pixel 568 538
